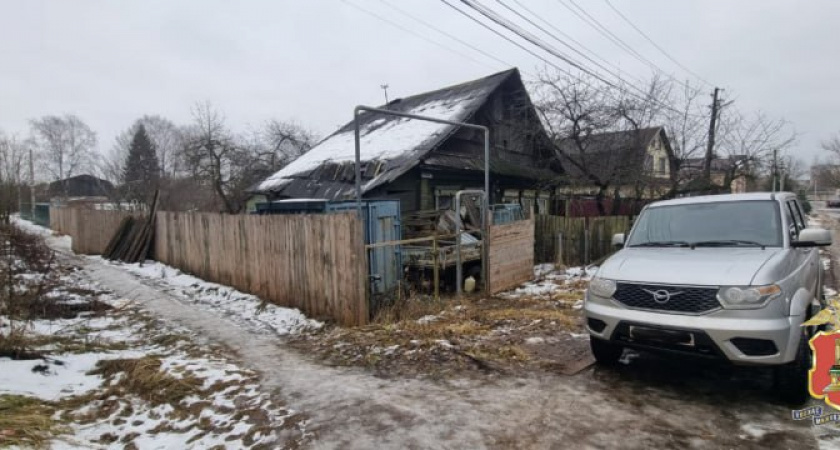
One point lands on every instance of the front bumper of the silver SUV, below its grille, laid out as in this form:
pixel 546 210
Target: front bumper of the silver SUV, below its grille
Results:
pixel 747 341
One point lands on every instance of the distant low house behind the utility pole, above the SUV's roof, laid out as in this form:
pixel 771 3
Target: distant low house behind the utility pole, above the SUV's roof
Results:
pixel 729 173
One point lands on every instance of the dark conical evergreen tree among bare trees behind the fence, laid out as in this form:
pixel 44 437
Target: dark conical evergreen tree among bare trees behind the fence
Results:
pixel 142 170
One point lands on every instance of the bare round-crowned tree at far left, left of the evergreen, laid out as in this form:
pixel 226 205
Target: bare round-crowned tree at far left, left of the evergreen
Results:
pixel 65 144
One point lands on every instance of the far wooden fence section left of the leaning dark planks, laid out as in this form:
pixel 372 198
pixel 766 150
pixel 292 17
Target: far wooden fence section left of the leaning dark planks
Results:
pixel 91 230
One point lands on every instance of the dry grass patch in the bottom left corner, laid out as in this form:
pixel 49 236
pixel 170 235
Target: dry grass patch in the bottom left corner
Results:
pixel 27 422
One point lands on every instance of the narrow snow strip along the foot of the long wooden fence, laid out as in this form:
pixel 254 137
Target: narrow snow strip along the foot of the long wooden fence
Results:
pixel 237 305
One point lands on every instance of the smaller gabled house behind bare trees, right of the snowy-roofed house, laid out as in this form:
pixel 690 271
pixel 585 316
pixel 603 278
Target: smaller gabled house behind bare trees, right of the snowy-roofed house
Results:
pixel 634 161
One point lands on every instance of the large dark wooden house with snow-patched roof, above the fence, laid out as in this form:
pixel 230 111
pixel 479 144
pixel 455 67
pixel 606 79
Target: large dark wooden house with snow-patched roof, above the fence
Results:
pixel 423 164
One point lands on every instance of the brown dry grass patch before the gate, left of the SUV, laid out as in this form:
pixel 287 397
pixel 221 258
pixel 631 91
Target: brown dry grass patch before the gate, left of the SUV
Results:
pixel 455 335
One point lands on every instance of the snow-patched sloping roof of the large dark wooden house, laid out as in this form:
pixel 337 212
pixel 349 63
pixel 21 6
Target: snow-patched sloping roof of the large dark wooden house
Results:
pixel 390 145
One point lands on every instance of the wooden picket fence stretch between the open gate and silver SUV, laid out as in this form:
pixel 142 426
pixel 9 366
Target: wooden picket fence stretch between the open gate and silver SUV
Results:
pixel 584 239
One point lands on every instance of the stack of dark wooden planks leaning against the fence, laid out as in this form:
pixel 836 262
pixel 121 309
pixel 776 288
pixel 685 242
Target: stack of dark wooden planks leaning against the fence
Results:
pixel 133 239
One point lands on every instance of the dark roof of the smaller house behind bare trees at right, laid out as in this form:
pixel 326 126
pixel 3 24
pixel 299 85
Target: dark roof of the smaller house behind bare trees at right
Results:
pixel 607 155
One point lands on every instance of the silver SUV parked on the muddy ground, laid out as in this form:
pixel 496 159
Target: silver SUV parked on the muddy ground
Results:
pixel 730 277
